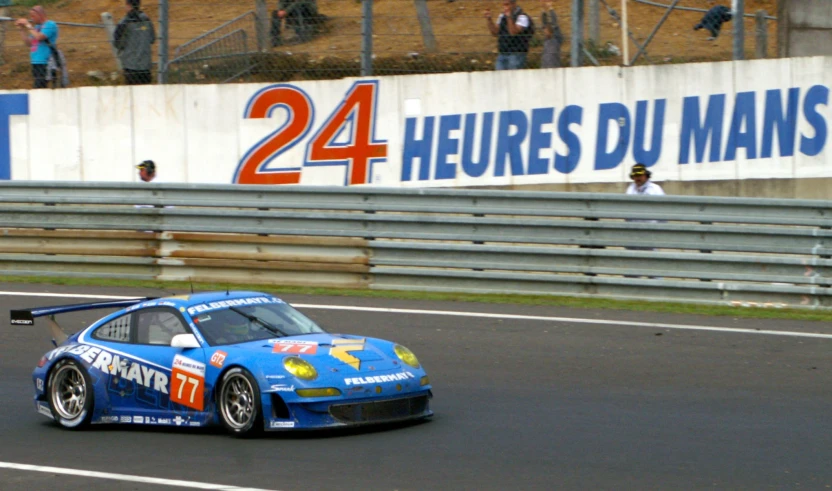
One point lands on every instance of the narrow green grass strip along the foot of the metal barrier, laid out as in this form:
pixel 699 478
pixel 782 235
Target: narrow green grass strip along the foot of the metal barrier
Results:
pixel 537 300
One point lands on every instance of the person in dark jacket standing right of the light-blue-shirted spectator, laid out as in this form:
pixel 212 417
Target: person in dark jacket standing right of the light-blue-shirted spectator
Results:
pixel 132 38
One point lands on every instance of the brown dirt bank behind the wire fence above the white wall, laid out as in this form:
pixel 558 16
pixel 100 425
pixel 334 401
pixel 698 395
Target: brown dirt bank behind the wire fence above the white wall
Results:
pixel 216 41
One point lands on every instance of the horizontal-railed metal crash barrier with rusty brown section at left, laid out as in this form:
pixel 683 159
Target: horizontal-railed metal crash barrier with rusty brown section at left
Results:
pixel 680 248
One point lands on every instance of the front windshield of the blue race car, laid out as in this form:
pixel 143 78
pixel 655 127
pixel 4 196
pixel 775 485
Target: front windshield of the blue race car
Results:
pixel 240 324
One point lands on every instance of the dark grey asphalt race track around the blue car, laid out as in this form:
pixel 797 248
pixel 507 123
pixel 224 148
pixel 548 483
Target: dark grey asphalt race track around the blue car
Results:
pixel 520 404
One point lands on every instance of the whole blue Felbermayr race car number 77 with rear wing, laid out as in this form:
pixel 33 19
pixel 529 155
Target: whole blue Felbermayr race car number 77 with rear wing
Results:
pixel 246 360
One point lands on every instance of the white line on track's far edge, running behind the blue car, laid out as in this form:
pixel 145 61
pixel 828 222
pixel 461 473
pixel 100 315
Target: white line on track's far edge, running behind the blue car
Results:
pixel 607 322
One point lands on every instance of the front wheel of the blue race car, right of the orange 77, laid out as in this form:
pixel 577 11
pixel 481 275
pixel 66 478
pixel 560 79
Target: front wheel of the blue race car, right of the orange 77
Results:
pixel 238 403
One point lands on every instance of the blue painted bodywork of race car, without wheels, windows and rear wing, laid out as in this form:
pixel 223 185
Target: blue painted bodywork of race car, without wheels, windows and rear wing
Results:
pixel 161 385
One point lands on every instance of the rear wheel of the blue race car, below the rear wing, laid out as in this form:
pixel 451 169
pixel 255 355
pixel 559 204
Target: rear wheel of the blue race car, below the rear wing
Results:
pixel 70 393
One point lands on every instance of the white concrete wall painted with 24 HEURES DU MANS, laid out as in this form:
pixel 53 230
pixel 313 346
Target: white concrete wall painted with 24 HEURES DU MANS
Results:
pixel 209 134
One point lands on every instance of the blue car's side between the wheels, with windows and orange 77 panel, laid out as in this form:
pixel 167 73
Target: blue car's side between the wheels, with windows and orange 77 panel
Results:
pixel 148 380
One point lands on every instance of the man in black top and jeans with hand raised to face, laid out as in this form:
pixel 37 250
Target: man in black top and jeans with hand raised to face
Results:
pixel 513 29
